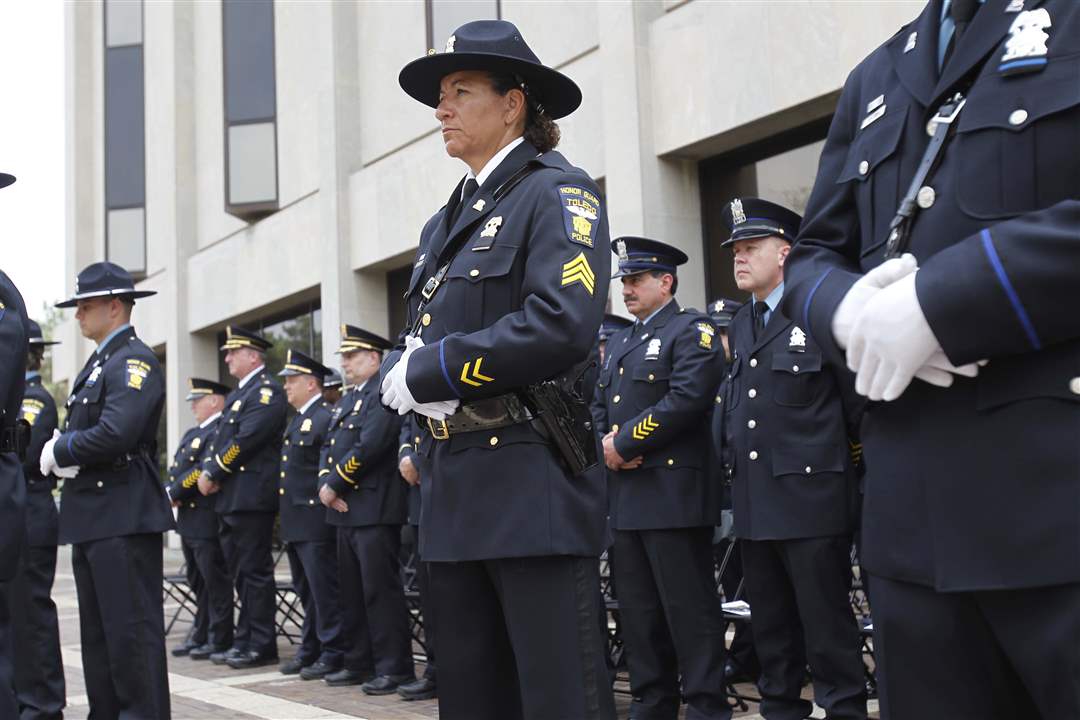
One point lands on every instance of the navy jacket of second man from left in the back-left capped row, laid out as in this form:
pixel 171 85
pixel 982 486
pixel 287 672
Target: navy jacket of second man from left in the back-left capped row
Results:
pixel 248 447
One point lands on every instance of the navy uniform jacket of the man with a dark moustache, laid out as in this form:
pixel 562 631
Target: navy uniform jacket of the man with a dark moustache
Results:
pixel 655 391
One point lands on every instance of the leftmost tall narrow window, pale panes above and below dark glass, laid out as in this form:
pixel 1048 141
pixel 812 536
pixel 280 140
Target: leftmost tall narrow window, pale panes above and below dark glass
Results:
pixel 125 138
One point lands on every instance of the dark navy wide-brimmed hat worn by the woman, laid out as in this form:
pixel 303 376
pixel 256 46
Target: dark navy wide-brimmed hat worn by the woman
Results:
pixel 494 46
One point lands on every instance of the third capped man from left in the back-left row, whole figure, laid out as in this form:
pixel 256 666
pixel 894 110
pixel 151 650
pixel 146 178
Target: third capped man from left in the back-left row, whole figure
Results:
pixel 313 550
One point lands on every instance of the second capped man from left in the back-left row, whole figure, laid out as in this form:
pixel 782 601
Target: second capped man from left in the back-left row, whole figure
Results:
pixel 245 468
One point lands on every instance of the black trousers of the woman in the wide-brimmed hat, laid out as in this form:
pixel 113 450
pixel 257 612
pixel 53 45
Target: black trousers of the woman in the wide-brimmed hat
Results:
pixel 519 641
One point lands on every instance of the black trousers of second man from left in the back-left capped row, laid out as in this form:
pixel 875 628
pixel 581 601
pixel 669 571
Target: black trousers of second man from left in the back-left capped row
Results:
pixel 246 541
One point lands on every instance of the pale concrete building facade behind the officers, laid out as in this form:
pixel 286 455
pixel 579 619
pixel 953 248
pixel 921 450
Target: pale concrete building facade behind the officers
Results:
pixel 255 162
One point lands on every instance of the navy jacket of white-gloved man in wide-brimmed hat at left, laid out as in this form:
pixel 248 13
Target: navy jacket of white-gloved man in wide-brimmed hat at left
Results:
pixel 111 433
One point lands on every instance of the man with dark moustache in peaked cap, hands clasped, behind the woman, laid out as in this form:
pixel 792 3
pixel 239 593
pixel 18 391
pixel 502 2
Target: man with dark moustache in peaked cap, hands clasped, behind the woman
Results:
pixel 655 388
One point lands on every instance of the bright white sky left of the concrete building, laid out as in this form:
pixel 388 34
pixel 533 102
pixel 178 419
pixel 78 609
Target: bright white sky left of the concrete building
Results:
pixel 32 148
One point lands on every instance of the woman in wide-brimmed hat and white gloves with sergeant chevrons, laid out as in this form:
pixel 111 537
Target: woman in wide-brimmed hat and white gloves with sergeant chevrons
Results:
pixel 512 275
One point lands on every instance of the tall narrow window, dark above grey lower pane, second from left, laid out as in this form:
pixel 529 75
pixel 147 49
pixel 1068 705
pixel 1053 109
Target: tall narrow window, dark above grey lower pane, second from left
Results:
pixel 251 108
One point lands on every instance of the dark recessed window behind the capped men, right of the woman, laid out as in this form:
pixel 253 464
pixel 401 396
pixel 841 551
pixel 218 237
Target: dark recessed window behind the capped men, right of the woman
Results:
pixel 780 170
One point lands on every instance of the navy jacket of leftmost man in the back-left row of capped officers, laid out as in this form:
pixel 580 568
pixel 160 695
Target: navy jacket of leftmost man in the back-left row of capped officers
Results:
pixel 197 517
